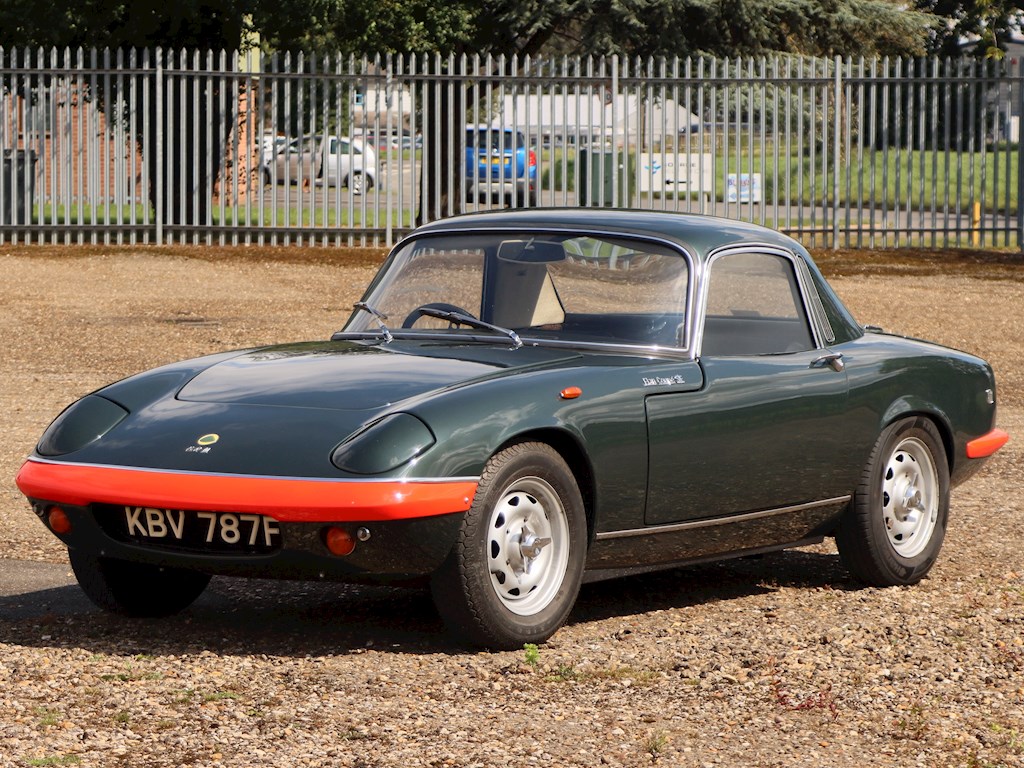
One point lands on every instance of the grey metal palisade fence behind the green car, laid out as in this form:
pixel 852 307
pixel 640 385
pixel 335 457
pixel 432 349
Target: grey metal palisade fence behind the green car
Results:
pixel 212 148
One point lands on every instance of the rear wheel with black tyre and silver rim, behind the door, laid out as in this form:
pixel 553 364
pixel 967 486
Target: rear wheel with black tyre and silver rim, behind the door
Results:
pixel 893 530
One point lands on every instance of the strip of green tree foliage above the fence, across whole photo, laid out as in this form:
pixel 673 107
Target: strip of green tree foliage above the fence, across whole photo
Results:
pixel 635 28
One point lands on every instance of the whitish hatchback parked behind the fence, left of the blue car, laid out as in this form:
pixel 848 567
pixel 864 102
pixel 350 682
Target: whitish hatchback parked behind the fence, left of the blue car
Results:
pixel 336 161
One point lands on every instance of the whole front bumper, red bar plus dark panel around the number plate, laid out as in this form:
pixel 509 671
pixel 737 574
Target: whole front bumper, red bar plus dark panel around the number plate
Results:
pixel 403 530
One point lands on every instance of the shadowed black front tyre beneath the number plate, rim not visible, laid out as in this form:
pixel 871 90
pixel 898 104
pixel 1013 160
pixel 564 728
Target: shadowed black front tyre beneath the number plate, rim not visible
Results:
pixel 134 589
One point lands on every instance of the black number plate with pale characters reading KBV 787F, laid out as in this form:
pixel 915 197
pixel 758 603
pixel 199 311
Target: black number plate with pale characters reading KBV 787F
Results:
pixel 203 532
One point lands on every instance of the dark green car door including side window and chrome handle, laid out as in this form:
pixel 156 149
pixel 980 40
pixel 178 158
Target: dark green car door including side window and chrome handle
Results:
pixel 767 430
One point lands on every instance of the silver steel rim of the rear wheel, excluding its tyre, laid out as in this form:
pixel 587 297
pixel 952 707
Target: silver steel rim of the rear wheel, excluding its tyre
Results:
pixel 911 497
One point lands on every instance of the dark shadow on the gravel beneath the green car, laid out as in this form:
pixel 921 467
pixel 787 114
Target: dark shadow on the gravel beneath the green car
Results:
pixel 298 619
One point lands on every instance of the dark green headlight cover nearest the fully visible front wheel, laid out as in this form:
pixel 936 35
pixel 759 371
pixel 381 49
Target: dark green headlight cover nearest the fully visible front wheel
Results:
pixel 385 446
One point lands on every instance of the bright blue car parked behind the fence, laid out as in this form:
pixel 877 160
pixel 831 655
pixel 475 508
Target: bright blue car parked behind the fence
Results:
pixel 500 168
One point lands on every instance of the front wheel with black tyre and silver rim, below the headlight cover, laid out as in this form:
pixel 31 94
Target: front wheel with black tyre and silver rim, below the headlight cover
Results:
pixel 528 497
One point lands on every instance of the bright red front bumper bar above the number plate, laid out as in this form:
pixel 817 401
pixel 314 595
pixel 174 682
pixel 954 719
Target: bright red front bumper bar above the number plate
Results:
pixel 288 500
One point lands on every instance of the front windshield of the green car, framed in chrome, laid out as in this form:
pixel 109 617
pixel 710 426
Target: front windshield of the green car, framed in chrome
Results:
pixel 559 288
